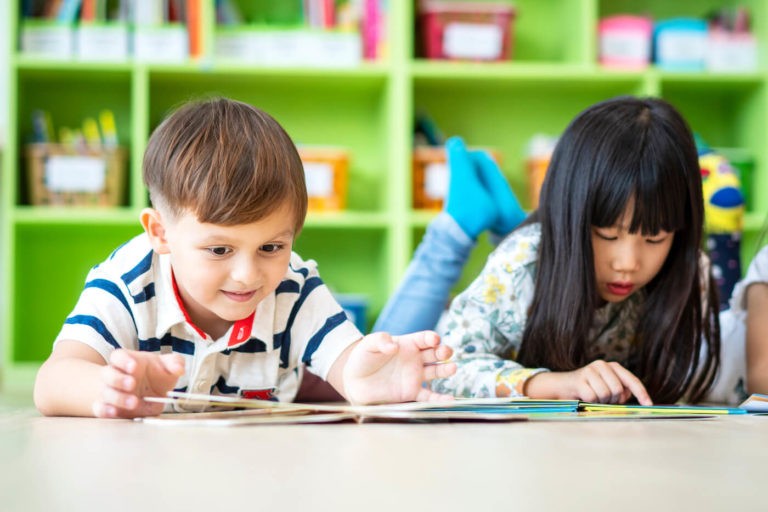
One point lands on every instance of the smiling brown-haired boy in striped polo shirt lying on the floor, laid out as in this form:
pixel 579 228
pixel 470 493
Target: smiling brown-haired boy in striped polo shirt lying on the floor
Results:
pixel 211 298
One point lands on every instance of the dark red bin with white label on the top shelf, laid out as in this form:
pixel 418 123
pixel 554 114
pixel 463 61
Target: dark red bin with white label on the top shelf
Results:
pixel 477 31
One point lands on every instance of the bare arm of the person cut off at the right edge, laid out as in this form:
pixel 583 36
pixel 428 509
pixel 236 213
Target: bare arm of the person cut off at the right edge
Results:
pixel 757 338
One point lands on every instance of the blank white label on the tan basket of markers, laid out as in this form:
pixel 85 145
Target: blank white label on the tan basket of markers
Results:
pixel 75 174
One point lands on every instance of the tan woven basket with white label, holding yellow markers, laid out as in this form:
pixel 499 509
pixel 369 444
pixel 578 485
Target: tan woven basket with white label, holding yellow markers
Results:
pixel 56 176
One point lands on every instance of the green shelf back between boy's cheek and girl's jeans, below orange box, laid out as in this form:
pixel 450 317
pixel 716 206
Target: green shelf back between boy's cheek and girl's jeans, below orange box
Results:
pixel 350 261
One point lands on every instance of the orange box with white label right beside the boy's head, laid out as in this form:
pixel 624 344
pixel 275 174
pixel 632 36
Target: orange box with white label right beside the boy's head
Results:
pixel 326 174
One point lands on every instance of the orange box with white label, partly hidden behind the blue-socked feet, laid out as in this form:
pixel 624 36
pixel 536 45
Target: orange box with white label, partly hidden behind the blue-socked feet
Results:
pixel 430 176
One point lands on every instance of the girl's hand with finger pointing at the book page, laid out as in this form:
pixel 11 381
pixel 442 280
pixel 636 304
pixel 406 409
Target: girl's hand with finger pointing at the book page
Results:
pixel 599 381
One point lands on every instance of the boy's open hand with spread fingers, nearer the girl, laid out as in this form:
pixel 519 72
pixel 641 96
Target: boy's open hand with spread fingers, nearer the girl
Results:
pixel 383 368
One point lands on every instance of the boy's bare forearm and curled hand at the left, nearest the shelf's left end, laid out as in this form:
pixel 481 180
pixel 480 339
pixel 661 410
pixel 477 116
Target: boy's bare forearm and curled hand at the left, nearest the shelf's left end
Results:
pixel 76 381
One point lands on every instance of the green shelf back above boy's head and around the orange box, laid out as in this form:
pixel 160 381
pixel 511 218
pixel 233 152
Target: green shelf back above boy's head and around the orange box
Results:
pixel 320 110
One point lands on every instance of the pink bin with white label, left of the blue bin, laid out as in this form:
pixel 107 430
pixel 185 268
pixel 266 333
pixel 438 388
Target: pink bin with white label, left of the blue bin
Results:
pixel 625 41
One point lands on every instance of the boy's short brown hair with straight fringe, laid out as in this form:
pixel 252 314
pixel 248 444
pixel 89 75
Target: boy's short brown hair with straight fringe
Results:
pixel 225 161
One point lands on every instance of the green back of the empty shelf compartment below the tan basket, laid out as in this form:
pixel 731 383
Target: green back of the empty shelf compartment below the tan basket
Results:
pixel 51 264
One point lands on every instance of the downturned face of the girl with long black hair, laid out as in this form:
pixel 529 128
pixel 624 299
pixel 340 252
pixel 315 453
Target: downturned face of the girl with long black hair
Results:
pixel 625 262
